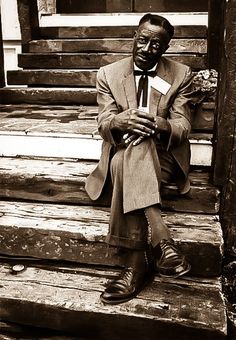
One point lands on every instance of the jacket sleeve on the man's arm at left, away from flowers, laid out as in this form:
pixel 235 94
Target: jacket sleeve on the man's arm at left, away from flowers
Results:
pixel 107 109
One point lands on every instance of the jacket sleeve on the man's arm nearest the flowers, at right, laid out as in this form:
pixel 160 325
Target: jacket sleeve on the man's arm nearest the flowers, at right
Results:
pixel 180 113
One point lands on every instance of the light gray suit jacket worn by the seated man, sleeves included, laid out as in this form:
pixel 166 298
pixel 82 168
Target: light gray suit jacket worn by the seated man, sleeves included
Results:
pixel 117 92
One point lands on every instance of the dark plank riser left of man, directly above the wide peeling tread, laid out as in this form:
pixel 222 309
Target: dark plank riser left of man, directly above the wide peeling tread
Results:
pixel 53 96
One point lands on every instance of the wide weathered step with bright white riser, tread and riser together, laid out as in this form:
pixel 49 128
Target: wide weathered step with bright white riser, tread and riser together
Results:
pixel 69 132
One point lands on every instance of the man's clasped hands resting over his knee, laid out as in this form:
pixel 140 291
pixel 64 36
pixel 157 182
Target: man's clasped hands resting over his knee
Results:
pixel 138 125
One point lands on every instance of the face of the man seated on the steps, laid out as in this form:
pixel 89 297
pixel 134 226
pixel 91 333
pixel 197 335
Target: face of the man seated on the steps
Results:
pixel 150 42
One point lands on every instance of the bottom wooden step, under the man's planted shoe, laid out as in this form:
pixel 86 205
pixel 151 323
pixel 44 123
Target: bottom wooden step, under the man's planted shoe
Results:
pixel 67 299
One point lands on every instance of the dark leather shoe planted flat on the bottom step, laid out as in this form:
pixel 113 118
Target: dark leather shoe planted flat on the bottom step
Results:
pixel 126 286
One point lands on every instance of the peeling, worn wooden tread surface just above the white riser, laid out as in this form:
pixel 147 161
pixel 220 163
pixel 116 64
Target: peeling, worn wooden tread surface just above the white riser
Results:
pixel 71 120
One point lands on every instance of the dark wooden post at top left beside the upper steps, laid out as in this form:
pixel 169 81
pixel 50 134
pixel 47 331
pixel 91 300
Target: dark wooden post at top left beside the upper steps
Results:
pixel 29 22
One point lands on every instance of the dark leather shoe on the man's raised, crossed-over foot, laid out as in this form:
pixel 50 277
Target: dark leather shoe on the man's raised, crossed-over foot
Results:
pixel 171 263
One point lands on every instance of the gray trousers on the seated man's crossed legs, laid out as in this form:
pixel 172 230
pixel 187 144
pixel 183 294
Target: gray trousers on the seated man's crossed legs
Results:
pixel 137 173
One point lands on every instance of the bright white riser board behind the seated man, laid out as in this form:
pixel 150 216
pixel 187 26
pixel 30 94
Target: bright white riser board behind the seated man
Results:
pixel 79 146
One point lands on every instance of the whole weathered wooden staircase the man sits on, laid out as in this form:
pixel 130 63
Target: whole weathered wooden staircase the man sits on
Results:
pixel 48 146
